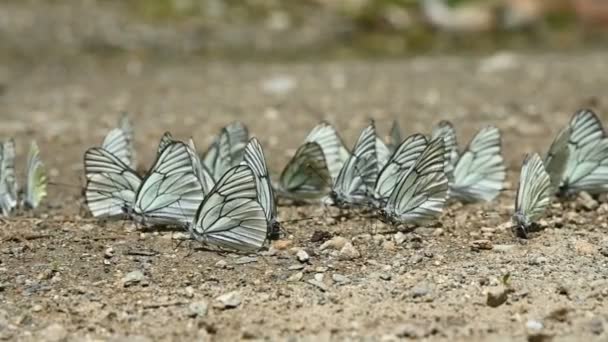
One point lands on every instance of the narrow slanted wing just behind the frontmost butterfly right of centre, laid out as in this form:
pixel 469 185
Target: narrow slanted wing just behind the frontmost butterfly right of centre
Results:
pixel 404 157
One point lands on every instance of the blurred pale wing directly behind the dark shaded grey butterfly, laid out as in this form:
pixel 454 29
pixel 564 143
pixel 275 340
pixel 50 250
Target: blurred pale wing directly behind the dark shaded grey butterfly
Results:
pixel 330 142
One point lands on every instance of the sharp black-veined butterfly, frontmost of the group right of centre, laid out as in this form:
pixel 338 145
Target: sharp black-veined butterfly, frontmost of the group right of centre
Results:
pixel 420 193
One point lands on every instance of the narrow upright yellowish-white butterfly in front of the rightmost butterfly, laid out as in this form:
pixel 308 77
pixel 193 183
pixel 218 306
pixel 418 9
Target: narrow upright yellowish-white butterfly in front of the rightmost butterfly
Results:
pixel 533 194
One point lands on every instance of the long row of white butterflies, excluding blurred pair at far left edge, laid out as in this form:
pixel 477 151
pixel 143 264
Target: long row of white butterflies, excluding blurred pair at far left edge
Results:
pixel 225 197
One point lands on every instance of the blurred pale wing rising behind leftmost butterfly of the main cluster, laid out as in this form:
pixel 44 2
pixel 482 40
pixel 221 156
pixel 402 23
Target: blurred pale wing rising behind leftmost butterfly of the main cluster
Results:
pixel 119 142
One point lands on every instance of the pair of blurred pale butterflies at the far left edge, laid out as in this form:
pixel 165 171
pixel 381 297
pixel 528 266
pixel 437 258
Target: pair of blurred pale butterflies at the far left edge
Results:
pixel 11 196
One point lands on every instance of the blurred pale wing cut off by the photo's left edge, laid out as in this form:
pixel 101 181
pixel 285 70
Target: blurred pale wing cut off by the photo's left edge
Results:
pixel 10 189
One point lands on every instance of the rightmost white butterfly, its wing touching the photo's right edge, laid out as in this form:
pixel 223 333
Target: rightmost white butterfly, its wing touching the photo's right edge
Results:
pixel 587 166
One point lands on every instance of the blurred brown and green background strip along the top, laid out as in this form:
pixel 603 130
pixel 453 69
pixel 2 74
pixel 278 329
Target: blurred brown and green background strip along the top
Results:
pixel 288 29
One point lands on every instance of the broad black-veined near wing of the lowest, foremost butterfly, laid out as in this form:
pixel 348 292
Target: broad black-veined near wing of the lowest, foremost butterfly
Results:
pixel 230 217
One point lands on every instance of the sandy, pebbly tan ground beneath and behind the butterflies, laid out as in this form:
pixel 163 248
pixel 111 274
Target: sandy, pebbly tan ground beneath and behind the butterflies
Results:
pixel 66 276
